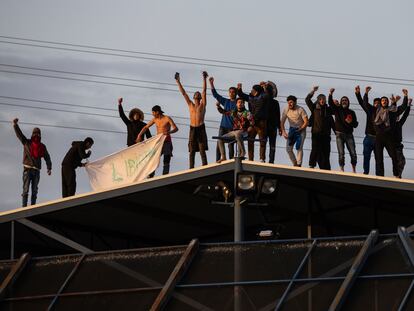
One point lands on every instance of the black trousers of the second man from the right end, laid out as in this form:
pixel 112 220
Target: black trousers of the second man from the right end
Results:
pixel 385 140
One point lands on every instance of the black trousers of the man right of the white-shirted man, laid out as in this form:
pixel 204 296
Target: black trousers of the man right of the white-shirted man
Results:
pixel 320 152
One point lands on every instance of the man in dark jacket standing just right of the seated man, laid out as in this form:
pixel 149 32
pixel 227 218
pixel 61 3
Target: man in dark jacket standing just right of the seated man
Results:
pixel 258 101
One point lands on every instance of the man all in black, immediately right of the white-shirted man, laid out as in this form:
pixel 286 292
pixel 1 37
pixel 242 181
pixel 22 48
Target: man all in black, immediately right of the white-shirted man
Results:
pixel 321 122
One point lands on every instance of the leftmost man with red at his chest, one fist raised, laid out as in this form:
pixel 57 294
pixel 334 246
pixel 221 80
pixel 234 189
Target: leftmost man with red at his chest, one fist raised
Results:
pixel 33 152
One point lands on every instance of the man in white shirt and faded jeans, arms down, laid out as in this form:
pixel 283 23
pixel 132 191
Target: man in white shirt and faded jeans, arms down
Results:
pixel 298 121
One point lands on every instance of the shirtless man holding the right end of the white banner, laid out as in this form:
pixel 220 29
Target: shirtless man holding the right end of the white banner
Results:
pixel 165 125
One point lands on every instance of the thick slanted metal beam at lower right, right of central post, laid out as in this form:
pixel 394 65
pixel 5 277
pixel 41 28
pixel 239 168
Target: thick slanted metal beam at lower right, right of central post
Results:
pixel 354 271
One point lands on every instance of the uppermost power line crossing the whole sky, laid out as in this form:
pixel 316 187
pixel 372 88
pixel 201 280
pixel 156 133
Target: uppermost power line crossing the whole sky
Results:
pixel 203 59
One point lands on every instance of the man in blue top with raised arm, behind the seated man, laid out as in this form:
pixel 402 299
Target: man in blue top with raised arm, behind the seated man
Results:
pixel 226 124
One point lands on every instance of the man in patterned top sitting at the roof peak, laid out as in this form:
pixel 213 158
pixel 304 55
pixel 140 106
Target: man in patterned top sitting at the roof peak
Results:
pixel 242 121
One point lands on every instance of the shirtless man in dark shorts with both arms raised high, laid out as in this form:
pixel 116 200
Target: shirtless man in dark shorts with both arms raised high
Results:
pixel 198 136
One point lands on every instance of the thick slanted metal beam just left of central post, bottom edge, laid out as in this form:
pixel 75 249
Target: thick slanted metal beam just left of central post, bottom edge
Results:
pixel 177 274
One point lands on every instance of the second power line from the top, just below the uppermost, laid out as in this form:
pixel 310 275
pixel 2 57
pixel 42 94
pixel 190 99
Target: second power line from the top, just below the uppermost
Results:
pixel 210 65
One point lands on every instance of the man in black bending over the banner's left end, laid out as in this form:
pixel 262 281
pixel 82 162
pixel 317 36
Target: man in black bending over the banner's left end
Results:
pixel 72 160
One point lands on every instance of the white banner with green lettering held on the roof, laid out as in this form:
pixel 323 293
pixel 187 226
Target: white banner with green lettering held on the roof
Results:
pixel 129 165
